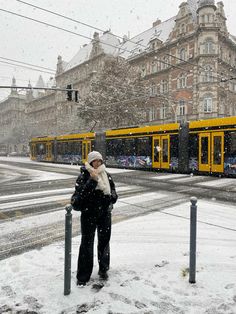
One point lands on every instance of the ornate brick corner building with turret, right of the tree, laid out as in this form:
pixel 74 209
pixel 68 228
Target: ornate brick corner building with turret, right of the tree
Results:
pixel 188 62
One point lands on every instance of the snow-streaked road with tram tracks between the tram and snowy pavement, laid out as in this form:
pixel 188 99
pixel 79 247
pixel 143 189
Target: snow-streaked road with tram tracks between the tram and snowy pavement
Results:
pixel 33 198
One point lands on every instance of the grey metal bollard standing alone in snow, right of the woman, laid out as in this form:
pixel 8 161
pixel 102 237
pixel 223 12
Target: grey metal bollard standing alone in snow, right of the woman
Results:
pixel 193 232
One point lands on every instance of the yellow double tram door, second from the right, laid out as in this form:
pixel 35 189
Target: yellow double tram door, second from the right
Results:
pixel 161 152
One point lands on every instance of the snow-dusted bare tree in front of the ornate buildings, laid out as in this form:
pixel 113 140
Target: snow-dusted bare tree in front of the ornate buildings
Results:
pixel 117 97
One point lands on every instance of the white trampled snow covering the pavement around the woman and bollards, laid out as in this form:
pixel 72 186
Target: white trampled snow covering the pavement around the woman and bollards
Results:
pixel 149 269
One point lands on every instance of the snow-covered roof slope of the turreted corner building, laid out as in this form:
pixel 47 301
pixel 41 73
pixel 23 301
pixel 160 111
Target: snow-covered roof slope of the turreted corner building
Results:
pixel 140 43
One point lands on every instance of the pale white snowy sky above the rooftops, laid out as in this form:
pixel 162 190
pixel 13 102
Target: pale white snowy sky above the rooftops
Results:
pixel 38 44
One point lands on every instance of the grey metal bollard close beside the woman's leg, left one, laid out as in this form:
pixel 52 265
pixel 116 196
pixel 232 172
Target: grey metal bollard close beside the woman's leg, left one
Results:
pixel 68 237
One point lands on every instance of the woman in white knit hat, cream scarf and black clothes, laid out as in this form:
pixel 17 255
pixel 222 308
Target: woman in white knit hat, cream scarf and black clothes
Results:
pixel 96 191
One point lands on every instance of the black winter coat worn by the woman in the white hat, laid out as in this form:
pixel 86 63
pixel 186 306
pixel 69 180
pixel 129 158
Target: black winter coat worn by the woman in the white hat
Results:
pixel 92 199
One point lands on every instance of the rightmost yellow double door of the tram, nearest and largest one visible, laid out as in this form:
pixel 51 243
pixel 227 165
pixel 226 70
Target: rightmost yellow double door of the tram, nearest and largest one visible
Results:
pixel 211 152
